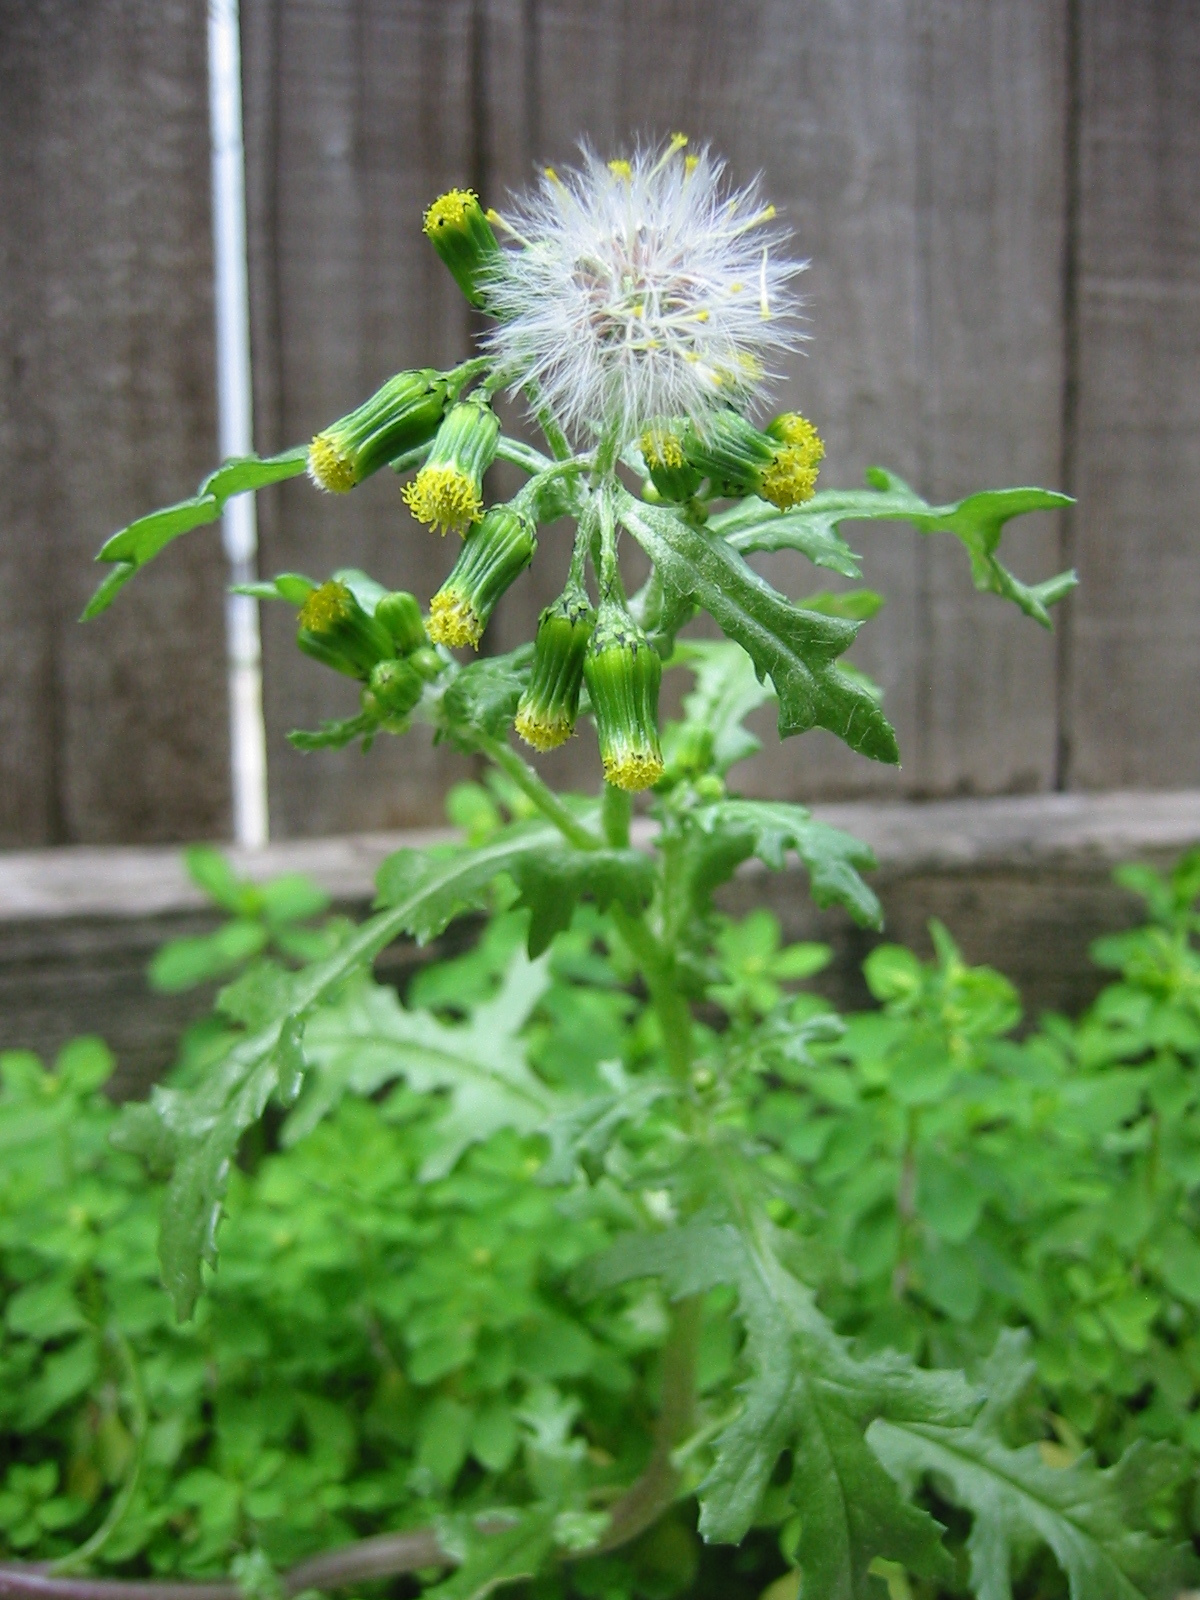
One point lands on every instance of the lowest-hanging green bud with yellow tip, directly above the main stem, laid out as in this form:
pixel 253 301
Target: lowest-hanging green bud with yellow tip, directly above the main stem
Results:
pixel 623 673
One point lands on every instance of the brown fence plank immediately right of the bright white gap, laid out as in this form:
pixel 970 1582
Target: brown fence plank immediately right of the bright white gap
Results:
pixel 358 116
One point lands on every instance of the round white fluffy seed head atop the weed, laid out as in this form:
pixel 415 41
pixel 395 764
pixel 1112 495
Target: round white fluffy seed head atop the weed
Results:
pixel 642 289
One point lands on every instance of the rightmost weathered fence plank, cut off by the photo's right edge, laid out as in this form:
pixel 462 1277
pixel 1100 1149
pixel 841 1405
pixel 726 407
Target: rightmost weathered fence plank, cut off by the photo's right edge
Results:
pixel 1134 714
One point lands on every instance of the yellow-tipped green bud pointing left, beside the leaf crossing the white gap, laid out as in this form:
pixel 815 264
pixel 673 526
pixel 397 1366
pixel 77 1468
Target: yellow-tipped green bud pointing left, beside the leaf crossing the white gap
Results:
pixel 399 417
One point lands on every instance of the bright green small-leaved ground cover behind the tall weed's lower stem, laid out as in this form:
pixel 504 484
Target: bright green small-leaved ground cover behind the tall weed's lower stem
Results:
pixel 399 1338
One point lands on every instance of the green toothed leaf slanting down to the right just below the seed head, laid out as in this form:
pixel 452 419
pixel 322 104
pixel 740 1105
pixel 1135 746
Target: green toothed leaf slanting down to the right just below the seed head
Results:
pixel 794 649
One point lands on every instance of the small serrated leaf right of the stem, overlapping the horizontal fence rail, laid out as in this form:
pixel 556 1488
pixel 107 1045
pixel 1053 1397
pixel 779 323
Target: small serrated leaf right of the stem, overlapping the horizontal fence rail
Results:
pixel 770 830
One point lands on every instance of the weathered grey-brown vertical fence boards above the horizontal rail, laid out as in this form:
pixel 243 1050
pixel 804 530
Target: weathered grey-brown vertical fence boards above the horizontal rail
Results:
pixel 1002 206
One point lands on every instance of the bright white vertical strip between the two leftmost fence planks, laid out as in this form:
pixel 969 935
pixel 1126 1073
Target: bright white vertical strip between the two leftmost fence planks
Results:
pixel 236 428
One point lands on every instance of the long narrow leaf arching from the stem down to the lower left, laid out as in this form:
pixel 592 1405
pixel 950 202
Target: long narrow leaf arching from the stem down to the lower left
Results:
pixel 207 1122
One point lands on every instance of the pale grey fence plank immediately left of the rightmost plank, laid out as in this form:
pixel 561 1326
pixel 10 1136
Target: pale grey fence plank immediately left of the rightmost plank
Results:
pixel 990 103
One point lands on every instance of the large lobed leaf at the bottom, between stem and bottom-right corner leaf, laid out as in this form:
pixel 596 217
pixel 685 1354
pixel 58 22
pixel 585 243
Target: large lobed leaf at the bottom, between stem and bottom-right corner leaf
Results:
pixel 806 1394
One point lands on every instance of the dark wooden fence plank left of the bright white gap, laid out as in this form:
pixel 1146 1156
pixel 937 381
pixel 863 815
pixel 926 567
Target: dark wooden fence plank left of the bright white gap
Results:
pixel 118 730
